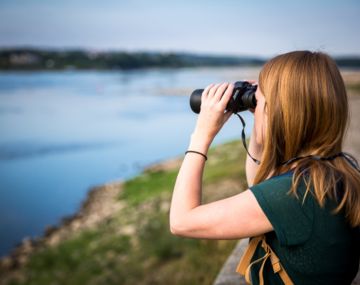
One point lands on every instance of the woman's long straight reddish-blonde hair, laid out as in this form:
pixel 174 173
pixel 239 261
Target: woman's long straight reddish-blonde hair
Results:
pixel 307 111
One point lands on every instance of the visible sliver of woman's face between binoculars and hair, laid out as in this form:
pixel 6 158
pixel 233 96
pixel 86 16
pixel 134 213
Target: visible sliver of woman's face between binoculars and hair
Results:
pixel 260 117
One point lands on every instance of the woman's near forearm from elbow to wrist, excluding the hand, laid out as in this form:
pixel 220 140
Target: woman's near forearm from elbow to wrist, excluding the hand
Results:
pixel 188 186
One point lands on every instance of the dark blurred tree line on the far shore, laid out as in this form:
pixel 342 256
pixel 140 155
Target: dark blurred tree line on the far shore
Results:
pixel 37 59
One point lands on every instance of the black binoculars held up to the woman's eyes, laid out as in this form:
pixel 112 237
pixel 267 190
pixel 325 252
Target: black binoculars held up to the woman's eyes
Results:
pixel 243 98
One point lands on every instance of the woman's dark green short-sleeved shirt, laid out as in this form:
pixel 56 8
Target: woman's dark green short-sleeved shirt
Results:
pixel 313 245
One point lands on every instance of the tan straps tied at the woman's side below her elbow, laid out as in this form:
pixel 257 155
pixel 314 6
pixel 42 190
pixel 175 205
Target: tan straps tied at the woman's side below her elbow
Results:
pixel 245 264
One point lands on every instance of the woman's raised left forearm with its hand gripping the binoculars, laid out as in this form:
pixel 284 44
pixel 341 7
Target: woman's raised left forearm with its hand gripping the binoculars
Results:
pixel 187 189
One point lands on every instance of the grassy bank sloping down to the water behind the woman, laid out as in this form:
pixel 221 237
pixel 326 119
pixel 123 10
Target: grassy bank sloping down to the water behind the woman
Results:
pixel 134 245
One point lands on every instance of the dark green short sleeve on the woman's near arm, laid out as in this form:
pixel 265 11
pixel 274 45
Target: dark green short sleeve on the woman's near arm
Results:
pixel 290 216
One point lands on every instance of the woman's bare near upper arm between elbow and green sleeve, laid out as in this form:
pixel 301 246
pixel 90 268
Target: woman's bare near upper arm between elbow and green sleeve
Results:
pixel 235 217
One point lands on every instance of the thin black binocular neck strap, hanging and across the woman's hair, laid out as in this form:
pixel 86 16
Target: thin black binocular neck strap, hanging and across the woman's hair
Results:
pixel 348 157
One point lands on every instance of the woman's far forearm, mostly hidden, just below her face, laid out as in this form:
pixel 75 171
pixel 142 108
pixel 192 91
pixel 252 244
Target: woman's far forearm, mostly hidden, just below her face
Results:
pixel 256 151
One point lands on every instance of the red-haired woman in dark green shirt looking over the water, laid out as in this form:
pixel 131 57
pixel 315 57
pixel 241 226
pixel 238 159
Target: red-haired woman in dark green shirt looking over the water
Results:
pixel 304 195
